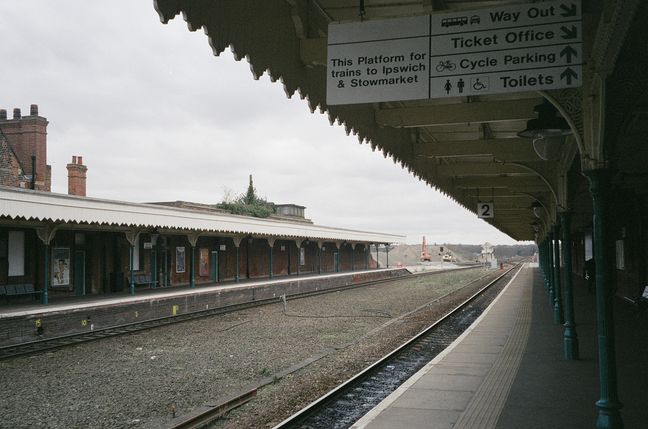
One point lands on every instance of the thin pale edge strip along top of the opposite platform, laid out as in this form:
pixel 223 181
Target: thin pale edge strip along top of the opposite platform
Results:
pixel 178 293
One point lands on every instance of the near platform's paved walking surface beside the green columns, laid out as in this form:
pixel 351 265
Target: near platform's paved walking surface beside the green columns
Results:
pixel 508 370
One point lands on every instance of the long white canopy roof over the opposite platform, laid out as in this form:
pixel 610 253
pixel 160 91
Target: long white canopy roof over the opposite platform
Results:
pixel 37 209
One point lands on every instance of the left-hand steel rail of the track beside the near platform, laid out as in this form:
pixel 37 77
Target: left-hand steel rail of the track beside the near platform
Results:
pixel 295 419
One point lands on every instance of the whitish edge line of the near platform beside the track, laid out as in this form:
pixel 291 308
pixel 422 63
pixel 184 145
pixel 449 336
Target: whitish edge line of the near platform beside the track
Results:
pixel 385 403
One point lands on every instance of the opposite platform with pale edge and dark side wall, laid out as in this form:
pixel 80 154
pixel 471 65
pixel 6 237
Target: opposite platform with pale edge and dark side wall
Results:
pixel 86 314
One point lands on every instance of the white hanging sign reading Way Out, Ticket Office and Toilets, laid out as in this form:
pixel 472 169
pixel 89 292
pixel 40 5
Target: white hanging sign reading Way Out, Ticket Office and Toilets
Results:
pixel 512 48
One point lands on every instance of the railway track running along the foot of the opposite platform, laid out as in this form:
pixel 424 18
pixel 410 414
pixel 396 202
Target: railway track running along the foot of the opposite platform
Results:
pixel 48 344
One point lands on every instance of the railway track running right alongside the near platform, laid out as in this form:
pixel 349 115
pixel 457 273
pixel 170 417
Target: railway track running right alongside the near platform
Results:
pixel 344 405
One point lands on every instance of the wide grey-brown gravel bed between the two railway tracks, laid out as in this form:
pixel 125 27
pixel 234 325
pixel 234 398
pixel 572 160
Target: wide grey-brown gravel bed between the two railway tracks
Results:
pixel 140 380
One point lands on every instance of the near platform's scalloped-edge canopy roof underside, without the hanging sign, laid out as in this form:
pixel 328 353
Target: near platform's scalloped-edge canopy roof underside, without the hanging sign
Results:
pixel 466 147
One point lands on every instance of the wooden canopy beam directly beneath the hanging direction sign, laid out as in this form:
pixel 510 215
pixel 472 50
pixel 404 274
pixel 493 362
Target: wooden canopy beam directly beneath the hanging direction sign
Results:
pixel 460 113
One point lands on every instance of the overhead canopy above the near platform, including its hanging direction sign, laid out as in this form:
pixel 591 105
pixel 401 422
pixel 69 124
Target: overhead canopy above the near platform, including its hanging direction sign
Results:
pixel 447 88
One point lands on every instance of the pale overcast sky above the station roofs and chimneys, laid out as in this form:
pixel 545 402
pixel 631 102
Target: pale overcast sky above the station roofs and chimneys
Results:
pixel 157 117
